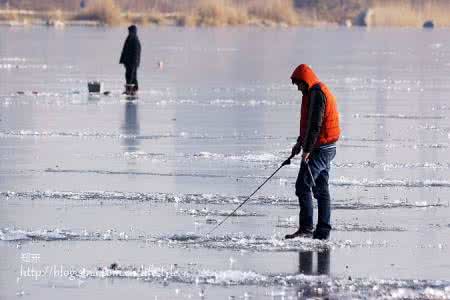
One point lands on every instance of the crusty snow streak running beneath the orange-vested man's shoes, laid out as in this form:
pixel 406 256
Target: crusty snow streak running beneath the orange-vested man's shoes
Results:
pixel 229 241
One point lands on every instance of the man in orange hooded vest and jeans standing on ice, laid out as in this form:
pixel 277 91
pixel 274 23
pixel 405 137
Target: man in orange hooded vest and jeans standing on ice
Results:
pixel 319 132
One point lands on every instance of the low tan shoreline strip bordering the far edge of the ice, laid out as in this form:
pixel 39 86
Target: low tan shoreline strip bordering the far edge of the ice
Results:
pixel 59 19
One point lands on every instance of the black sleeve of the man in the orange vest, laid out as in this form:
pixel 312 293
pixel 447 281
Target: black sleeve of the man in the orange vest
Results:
pixel 317 104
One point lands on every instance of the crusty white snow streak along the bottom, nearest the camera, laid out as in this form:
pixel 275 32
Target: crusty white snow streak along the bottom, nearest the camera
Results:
pixel 293 284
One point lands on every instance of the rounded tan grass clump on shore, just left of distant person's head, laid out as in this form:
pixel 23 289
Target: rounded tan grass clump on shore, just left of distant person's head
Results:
pixel 103 11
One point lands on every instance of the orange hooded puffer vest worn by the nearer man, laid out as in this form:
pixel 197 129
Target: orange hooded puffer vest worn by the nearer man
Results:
pixel 330 130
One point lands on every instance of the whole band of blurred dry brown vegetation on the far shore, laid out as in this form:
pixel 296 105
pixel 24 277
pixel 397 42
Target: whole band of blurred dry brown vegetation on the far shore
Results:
pixel 412 13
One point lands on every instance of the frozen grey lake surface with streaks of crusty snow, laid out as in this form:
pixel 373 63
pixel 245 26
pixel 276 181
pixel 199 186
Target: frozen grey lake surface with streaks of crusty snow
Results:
pixel 104 198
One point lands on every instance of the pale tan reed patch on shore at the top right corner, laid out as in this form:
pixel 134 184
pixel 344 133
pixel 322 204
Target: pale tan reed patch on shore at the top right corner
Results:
pixel 406 13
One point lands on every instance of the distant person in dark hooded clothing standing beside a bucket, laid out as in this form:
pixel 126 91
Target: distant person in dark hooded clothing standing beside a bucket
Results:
pixel 131 58
